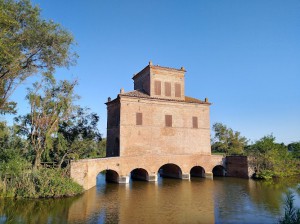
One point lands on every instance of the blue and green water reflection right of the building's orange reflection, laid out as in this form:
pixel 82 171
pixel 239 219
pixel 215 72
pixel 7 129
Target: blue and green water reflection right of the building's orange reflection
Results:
pixel 249 201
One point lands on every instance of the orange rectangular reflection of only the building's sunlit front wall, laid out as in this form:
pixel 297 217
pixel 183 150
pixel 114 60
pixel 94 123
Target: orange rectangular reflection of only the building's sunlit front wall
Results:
pixel 168 201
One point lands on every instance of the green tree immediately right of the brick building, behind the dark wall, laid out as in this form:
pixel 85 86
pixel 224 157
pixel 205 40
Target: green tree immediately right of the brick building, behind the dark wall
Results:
pixel 227 141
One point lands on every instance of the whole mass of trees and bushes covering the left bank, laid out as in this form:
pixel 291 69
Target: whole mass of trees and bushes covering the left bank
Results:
pixel 31 45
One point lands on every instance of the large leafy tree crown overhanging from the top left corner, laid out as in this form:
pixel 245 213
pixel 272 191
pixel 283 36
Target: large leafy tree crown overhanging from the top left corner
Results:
pixel 28 45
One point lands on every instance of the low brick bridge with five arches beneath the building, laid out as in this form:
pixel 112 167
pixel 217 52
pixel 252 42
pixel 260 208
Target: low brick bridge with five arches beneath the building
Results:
pixel 121 169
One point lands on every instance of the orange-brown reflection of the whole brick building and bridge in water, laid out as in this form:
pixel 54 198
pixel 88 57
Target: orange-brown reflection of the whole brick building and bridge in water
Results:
pixel 176 202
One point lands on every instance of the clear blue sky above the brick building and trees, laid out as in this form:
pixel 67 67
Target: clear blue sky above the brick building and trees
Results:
pixel 244 56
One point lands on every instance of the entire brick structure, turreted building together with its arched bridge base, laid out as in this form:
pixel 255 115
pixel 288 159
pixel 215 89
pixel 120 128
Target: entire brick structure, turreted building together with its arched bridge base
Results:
pixel 156 130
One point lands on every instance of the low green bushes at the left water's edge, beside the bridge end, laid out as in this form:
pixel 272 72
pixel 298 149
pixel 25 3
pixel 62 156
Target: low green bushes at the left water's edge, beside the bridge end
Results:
pixel 42 183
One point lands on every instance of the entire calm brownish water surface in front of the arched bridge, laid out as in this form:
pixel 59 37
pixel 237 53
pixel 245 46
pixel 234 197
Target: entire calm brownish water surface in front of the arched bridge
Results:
pixel 222 200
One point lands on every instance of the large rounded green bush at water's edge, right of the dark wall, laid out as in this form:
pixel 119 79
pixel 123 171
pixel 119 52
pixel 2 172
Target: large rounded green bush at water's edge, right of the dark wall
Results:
pixel 270 159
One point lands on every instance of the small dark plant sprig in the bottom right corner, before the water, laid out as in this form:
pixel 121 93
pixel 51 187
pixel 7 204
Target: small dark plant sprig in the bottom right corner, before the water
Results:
pixel 291 214
